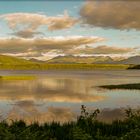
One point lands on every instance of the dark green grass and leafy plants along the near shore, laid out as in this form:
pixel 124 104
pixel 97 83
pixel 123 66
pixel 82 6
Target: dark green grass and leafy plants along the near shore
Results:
pixel 85 128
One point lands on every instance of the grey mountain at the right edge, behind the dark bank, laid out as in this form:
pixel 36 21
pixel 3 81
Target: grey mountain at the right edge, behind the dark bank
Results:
pixel 131 60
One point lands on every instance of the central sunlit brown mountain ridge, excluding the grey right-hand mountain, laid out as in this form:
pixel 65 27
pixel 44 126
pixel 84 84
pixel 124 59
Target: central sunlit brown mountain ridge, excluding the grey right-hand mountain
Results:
pixel 81 59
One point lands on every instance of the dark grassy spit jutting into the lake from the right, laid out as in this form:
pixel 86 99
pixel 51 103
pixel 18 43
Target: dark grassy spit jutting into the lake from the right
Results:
pixel 123 86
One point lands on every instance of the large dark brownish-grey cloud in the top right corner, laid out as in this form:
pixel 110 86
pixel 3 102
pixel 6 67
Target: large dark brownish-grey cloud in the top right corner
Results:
pixel 122 14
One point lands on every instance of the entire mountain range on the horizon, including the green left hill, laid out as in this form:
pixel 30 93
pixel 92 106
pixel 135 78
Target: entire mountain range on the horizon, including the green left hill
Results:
pixel 72 59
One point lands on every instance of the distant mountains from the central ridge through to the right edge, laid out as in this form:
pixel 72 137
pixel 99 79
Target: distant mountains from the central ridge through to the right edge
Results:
pixel 94 59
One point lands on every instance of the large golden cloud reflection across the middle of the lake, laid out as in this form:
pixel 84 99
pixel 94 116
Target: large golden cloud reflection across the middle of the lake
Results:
pixel 52 90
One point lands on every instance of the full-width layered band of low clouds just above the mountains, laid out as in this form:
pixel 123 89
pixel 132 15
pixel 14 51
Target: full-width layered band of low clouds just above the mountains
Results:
pixel 49 47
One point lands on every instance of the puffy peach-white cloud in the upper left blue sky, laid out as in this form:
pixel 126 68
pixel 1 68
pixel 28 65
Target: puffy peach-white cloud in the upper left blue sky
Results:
pixel 27 24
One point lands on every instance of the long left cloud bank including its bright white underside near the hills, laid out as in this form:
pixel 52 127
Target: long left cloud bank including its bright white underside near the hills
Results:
pixel 43 48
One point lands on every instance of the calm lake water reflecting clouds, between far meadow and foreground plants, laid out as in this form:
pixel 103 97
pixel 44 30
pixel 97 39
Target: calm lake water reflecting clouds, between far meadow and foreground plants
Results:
pixel 58 95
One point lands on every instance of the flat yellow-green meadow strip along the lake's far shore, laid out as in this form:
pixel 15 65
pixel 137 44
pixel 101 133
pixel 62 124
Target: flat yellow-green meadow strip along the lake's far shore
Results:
pixel 40 66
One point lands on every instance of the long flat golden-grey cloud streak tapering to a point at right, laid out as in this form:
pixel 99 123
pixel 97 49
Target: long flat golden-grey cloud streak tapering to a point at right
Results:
pixel 22 45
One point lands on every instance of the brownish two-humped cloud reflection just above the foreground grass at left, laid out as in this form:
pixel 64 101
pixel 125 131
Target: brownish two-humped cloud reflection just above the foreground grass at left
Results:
pixel 29 111
